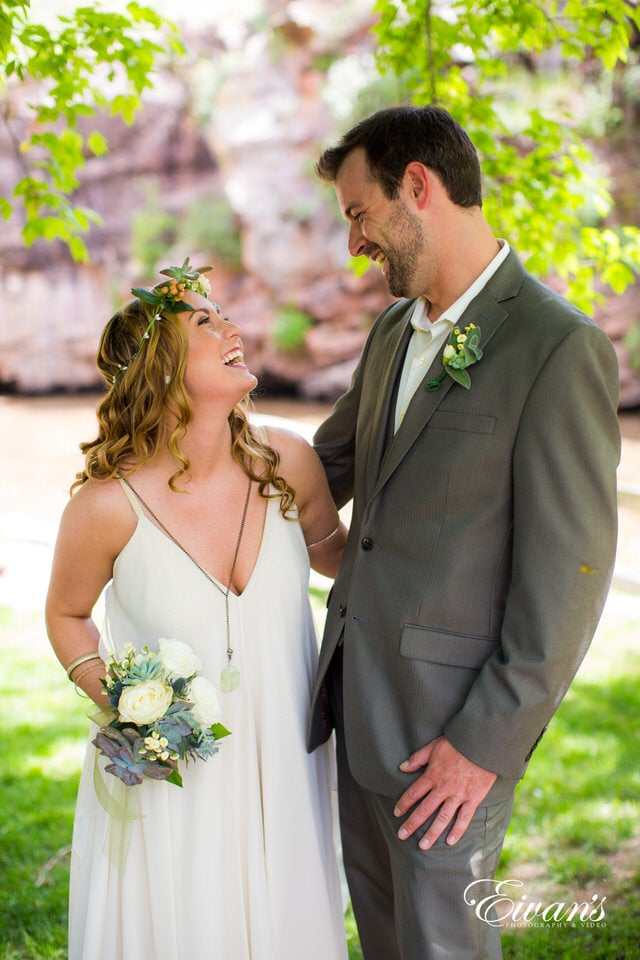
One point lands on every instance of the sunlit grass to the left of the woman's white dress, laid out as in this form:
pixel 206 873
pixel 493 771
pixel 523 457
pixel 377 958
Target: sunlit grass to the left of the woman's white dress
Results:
pixel 43 728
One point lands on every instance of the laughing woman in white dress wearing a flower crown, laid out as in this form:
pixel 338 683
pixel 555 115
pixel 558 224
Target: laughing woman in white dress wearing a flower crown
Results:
pixel 202 528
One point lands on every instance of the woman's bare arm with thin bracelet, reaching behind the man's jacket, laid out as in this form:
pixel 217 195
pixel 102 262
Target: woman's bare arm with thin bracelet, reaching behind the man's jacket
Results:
pixel 324 533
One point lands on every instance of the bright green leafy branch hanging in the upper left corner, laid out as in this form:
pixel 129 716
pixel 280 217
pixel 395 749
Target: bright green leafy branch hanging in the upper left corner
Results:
pixel 91 60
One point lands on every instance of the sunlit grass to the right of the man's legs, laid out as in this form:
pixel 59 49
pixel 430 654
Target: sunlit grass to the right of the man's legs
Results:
pixel 574 833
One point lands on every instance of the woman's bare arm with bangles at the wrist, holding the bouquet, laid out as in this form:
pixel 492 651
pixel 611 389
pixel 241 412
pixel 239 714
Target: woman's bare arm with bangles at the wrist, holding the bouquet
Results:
pixel 94 527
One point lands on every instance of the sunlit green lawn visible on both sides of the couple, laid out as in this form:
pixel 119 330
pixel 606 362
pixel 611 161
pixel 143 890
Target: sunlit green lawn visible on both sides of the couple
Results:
pixel 574 832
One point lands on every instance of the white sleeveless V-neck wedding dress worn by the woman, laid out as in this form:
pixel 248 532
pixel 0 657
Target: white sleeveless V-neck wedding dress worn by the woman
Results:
pixel 240 863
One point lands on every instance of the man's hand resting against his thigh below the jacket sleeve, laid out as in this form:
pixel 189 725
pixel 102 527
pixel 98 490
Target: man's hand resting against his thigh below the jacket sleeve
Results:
pixel 449 784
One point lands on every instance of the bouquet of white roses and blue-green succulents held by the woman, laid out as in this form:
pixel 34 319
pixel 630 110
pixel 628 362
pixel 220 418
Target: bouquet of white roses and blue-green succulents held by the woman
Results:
pixel 162 711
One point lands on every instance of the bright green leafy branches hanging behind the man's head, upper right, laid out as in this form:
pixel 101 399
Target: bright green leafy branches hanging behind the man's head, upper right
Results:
pixel 504 69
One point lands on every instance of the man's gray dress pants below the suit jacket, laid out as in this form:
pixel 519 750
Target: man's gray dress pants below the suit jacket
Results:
pixel 409 904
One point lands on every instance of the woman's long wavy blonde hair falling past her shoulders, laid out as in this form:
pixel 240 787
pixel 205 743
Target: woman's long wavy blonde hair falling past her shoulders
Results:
pixel 143 392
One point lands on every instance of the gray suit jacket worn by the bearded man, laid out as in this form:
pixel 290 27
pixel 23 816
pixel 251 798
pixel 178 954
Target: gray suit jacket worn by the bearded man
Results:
pixel 483 535
